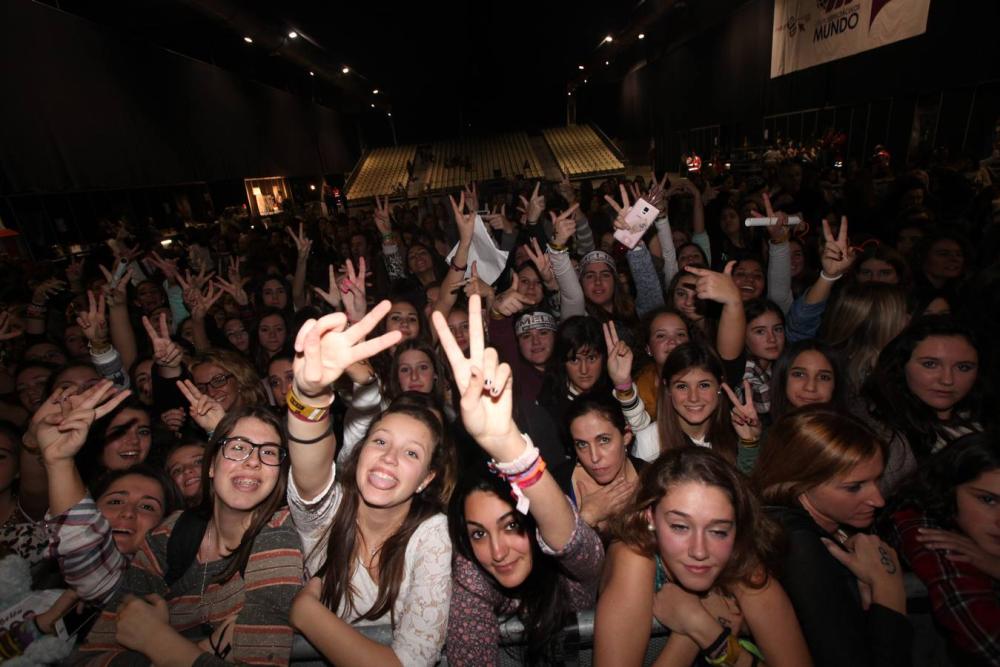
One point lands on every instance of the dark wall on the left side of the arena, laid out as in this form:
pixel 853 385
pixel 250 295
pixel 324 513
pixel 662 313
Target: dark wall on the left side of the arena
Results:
pixel 85 109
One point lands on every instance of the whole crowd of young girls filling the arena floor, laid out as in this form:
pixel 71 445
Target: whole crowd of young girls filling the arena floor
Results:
pixel 751 436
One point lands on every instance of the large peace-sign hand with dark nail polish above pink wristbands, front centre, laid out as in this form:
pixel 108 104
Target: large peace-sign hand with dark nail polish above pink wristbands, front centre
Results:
pixel 485 385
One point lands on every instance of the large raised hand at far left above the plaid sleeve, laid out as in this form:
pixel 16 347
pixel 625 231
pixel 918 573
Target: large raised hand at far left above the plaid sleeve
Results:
pixel 60 425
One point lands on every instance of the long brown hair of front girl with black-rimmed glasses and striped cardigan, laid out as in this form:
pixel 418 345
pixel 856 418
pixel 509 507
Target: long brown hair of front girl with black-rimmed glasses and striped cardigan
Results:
pixel 267 507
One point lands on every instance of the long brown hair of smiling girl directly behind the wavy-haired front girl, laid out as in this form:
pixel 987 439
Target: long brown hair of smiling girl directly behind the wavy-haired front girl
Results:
pixel 720 434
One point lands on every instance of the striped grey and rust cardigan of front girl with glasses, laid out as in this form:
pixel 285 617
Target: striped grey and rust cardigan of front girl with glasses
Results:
pixel 245 618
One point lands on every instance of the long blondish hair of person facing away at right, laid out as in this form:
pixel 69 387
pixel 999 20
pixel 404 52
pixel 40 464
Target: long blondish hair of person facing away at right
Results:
pixel 862 321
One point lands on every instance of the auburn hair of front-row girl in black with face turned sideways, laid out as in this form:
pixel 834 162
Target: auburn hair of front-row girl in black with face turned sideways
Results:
pixel 807 447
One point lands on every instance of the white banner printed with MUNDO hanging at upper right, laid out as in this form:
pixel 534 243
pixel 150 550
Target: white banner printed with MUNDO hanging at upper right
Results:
pixel 811 32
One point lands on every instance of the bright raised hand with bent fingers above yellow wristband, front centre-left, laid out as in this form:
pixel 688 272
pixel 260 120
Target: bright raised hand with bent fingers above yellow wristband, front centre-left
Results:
pixel 325 347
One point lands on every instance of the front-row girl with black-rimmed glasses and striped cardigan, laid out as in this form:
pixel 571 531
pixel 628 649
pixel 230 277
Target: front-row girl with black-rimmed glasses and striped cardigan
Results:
pixel 214 584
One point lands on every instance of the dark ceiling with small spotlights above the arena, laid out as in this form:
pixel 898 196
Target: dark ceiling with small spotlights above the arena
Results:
pixel 442 68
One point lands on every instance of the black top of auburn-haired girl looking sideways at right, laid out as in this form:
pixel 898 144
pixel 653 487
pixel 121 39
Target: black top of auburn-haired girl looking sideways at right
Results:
pixel 828 604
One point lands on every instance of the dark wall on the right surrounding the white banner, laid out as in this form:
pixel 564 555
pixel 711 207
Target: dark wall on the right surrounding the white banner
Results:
pixel 716 71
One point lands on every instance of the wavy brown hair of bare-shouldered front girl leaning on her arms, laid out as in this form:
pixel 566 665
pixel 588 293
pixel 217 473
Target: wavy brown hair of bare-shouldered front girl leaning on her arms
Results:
pixel 755 546
